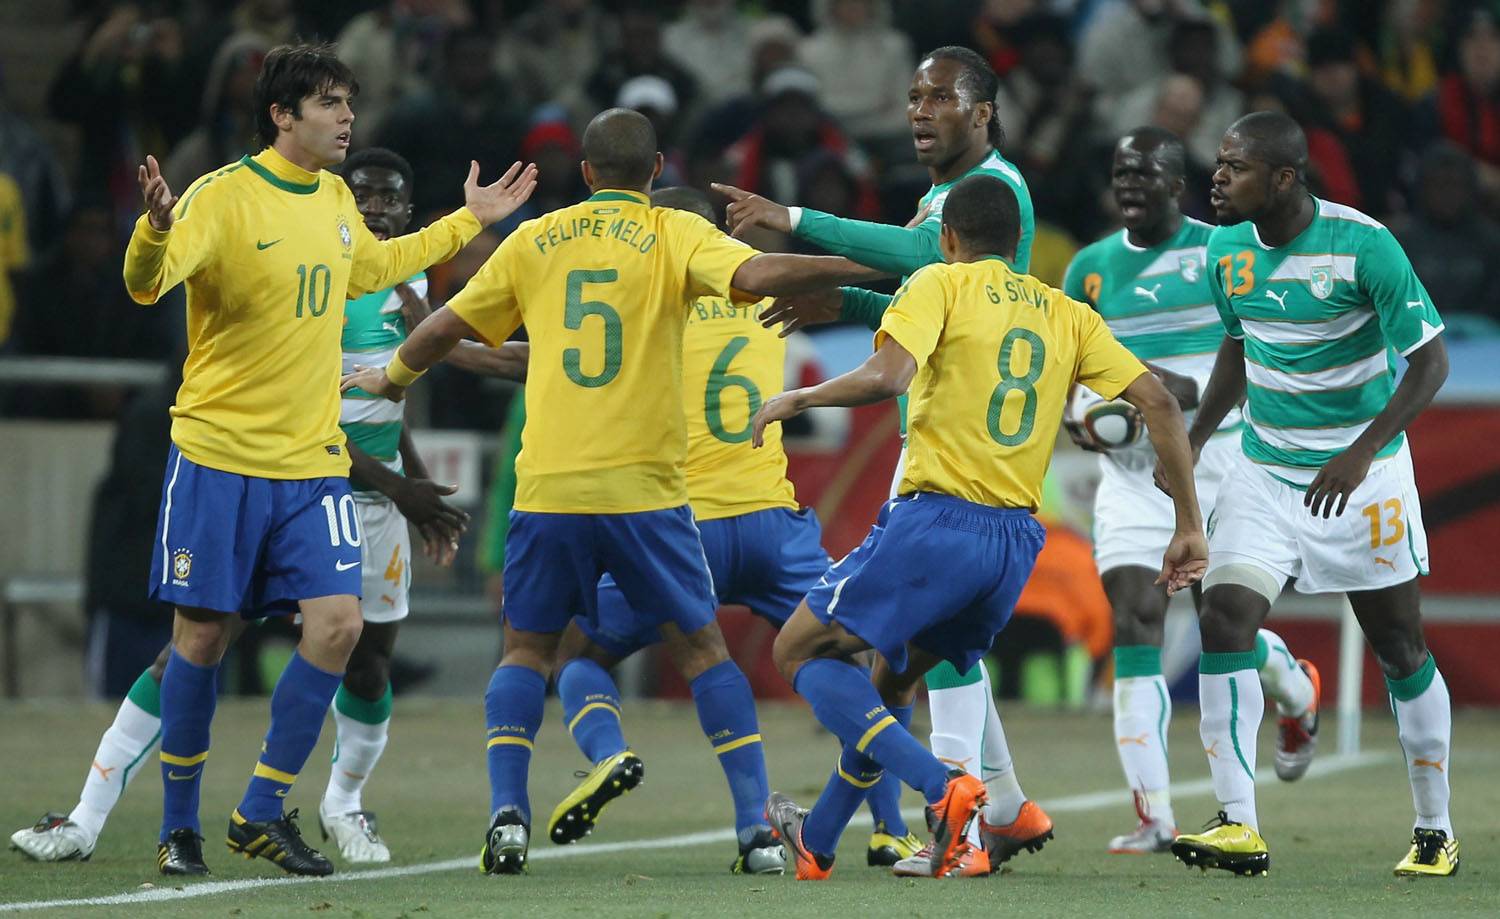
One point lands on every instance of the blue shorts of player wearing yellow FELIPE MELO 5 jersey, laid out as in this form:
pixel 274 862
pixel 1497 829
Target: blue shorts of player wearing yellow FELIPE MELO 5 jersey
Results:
pixel 554 564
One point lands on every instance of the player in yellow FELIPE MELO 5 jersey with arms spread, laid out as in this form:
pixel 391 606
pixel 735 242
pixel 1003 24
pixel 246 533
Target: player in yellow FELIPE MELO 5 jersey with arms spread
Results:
pixel 604 289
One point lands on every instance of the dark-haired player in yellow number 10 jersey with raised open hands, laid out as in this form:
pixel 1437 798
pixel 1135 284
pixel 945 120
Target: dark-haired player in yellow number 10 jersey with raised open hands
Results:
pixel 257 515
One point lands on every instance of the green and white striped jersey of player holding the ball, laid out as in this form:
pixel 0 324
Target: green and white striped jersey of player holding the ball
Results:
pixel 1156 301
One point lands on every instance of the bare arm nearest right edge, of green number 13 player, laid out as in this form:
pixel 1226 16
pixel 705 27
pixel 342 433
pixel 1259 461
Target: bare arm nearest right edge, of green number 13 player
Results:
pixel 1427 370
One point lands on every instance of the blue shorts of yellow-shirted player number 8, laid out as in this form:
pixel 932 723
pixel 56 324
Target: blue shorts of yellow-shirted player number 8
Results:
pixel 938 572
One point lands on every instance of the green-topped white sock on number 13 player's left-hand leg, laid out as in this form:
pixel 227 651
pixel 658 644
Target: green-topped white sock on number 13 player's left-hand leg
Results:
pixel 1234 707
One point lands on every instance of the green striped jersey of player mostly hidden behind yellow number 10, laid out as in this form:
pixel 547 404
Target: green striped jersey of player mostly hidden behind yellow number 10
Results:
pixel 373 332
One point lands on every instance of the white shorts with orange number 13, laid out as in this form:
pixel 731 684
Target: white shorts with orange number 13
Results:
pixel 1378 543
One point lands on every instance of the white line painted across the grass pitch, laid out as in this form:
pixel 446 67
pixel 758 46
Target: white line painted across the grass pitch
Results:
pixel 1063 806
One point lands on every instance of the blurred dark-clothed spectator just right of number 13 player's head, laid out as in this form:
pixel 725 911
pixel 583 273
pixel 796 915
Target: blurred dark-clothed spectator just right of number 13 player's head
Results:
pixel 1367 119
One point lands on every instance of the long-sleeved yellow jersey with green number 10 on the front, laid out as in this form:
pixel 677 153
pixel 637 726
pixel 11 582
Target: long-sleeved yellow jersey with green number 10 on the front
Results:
pixel 269 253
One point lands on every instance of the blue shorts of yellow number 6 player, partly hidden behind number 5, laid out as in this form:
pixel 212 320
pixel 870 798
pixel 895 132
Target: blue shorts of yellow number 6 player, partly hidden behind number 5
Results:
pixel 764 560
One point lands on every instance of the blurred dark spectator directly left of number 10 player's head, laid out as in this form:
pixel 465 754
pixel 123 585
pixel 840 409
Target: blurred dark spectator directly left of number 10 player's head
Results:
pixel 227 128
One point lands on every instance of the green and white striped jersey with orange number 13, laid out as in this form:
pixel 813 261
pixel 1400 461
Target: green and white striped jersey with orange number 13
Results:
pixel 1322 320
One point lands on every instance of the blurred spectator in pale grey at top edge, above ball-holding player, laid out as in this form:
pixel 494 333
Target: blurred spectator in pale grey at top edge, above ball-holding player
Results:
pixel 1127 46
